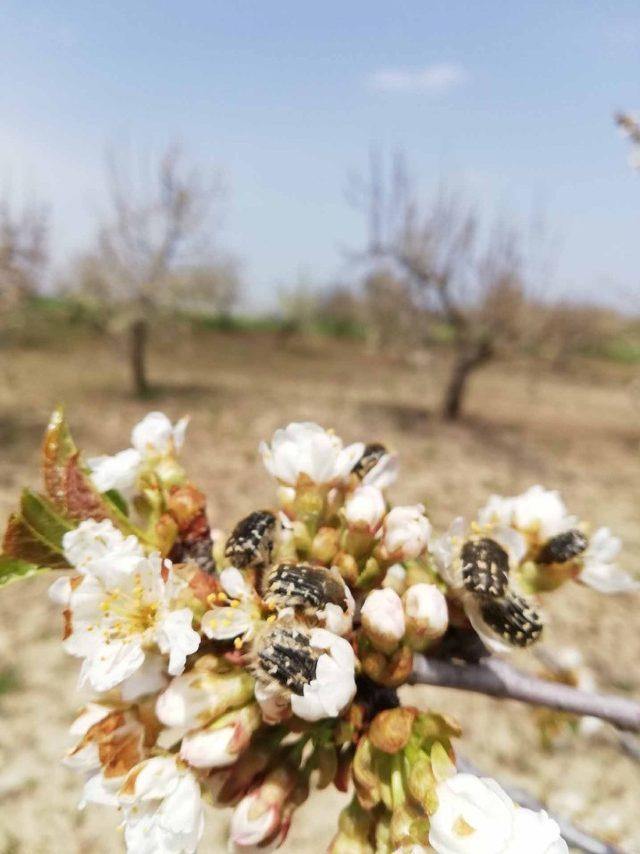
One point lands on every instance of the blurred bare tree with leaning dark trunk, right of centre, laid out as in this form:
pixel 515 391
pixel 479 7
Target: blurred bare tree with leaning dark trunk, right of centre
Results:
pixel 460 273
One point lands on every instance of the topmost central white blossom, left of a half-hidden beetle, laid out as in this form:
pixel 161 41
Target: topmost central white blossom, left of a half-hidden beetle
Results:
pixel 306 449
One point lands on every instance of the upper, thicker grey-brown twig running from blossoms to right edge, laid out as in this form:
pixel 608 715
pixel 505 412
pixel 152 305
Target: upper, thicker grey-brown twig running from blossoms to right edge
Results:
pixel 497 678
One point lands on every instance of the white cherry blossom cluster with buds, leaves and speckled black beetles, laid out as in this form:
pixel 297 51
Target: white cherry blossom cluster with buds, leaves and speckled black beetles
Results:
pixel 245 670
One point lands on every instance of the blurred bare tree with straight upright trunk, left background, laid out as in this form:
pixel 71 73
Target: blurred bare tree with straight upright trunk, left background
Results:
pixel 158 236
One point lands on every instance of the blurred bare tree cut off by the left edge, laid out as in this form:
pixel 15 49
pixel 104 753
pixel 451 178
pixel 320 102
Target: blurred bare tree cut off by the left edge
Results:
pixel 24 237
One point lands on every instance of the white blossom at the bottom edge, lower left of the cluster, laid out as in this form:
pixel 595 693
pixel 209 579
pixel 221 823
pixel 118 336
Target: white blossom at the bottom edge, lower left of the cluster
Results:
pixel 162 806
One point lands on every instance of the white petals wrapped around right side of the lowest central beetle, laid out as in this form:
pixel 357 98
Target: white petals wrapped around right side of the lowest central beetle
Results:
pixel 333 686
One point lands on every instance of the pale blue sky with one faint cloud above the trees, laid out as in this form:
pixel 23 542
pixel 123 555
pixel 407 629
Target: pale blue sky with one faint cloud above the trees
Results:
pixel 510 101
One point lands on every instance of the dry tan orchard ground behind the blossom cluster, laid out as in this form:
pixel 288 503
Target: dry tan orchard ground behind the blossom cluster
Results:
pixel 579 433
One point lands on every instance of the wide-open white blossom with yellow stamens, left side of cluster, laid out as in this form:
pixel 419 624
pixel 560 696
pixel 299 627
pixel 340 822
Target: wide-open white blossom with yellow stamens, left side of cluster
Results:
pixel 118 615
